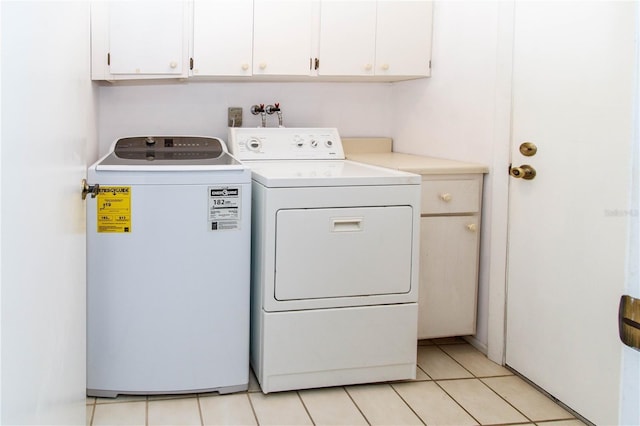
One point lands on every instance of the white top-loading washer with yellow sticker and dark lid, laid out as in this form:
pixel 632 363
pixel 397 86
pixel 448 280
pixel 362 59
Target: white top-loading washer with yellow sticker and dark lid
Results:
pixel 168 268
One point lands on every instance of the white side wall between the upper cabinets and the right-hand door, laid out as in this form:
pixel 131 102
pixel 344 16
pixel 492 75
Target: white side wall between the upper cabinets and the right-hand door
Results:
pixel 460 113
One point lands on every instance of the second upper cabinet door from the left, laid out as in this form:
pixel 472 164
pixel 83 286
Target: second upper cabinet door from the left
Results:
pixel 222 37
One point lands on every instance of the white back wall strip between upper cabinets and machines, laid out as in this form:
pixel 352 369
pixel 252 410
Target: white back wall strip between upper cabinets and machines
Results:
pixel 200 107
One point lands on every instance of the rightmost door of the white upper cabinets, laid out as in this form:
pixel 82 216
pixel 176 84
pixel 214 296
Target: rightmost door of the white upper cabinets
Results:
pixel 403 38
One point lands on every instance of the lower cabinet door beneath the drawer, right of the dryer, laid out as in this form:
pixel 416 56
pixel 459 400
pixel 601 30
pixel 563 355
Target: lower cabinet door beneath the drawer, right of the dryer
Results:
pixel 448 276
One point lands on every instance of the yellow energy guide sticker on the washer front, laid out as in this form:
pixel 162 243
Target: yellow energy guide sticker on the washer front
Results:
pixel 114 209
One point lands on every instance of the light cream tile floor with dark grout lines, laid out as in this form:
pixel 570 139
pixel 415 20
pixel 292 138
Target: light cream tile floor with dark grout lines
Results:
pixel 455 385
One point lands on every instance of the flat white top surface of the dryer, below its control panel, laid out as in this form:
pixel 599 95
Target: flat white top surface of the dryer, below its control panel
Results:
pixel 314 173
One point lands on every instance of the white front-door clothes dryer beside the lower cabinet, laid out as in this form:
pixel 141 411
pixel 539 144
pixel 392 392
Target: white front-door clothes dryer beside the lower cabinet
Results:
pixel 334 262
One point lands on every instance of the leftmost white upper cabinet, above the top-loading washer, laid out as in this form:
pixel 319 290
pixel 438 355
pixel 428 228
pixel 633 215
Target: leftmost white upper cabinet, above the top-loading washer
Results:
pixel 140 39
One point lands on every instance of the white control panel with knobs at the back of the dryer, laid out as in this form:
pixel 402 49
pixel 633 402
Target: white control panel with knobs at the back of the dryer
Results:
pixel 285 143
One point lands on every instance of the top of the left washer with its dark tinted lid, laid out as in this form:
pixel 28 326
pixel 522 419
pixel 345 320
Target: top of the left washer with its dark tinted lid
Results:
pixel 168 153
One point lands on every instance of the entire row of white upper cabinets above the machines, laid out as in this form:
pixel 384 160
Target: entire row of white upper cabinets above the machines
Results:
pixel 378 40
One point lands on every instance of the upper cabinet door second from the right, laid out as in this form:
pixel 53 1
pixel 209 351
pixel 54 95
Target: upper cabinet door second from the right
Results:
pixel 347 37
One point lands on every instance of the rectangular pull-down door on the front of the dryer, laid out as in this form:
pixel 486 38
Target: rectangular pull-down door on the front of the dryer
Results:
pixel 343 252
